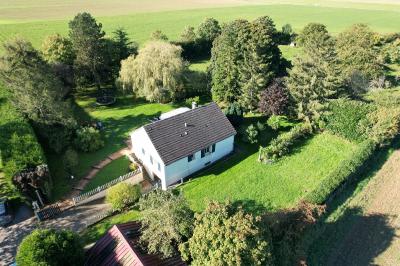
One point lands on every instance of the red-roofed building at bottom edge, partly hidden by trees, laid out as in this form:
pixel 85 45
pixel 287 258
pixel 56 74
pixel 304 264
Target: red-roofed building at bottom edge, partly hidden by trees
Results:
pixel 120 246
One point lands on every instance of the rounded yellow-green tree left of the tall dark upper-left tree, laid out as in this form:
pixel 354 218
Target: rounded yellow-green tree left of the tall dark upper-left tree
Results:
pixel 58 49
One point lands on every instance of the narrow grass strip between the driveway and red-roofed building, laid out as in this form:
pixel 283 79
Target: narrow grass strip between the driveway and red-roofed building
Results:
pixel 93 233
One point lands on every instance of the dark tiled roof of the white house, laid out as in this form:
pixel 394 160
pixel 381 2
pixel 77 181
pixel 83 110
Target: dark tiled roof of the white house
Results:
pixel 205 125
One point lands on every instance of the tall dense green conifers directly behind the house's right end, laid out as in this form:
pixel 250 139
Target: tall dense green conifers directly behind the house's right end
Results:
pixel 245 58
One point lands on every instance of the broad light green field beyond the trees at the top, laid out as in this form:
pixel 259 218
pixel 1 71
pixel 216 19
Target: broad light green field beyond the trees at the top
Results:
pixel 140 26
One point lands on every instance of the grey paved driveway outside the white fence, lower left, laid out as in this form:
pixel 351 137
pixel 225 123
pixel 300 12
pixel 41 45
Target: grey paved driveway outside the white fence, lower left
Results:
pixel 74 219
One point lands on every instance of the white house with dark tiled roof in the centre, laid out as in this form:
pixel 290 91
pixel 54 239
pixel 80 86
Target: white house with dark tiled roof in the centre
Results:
pixel 182 142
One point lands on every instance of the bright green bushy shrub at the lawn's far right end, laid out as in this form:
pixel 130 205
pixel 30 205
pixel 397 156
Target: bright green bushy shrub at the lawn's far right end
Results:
pixel 345 117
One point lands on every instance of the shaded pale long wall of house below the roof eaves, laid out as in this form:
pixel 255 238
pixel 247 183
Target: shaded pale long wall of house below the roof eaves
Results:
pixel 182 168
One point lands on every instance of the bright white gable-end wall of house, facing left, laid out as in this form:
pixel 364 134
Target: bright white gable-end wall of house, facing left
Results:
pixel 140 140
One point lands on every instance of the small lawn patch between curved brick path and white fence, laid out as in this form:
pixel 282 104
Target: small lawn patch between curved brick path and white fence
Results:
pixel 115 169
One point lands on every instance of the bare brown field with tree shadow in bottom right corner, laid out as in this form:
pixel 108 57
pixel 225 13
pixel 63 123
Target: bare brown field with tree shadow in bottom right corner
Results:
pixel 373 237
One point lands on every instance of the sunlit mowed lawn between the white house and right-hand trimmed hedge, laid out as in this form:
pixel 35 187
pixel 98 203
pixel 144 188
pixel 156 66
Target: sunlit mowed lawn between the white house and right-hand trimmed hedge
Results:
pixel 270 186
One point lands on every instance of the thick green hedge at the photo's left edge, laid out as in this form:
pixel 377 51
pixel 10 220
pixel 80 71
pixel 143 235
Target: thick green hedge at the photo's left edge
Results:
pixel 19 147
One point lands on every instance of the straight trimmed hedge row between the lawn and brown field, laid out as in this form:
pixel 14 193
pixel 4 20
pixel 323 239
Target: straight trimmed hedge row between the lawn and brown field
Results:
pixel 345 171
